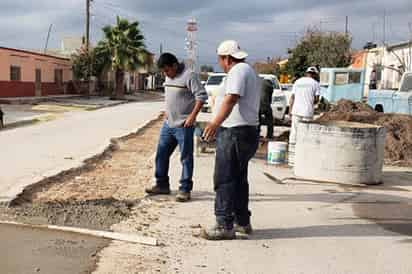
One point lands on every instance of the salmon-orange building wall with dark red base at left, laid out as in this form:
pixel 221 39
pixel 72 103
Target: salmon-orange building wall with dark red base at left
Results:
pixel 29 62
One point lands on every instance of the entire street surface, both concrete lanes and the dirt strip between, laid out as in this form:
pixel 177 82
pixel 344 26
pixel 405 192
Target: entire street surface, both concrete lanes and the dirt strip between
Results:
pixel 299 226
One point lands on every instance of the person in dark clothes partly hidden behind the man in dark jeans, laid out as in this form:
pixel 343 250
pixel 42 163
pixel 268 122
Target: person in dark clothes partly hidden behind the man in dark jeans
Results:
pixel 265 109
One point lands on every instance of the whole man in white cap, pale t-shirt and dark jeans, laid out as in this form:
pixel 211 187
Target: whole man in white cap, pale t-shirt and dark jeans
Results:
pixel 236 125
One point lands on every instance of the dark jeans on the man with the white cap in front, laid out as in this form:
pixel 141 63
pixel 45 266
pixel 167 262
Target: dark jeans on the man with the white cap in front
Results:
pixel 234 148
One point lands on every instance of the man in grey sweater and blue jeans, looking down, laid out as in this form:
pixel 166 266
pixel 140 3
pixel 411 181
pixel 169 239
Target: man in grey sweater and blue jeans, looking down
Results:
pixel 185 96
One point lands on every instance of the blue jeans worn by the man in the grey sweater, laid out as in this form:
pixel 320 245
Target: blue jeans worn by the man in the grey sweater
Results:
pixel 169 139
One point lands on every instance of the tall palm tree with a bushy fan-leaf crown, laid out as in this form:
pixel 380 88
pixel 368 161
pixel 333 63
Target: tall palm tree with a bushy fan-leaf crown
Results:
pixel 124 44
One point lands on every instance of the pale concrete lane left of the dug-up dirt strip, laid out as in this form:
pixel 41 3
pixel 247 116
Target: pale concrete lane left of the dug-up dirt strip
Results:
pixel 32 153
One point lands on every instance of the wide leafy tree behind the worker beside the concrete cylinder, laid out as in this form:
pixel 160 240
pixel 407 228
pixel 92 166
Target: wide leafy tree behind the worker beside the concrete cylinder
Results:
pixel 323 49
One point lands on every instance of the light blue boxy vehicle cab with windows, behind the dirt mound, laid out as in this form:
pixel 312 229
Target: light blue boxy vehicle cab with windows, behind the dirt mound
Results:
pixel 342 83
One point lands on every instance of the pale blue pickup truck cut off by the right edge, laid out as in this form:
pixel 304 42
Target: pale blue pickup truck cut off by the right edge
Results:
pixel 393 101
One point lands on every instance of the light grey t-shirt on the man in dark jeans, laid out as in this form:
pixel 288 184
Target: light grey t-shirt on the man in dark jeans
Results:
pixel 241 80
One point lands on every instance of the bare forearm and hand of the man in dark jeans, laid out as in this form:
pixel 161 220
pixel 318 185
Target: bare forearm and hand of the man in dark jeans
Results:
pixel 228 103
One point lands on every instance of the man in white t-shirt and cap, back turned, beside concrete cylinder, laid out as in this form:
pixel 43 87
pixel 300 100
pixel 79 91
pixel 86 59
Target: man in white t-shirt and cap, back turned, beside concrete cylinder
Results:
pixel 305 94
